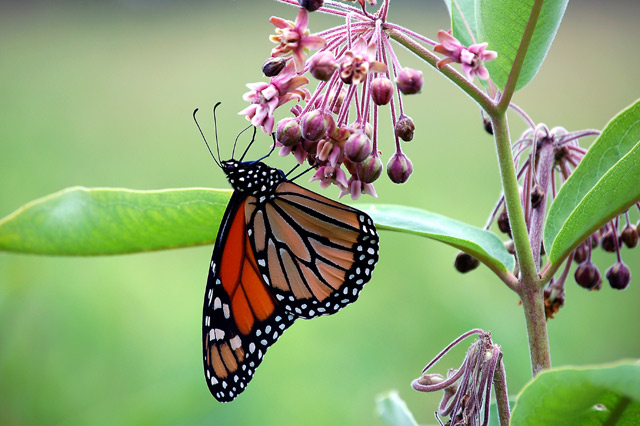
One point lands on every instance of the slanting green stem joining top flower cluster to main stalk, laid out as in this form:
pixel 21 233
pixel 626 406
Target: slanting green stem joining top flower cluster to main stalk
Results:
pixel 458 79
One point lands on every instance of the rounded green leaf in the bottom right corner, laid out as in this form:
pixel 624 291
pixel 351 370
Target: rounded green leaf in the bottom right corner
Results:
pixel 595 395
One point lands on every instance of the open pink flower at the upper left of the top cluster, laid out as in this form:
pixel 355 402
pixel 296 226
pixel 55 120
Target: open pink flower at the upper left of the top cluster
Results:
pixel 294 38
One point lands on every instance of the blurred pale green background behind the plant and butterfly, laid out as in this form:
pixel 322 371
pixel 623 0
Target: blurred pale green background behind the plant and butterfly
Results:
pixel 101 94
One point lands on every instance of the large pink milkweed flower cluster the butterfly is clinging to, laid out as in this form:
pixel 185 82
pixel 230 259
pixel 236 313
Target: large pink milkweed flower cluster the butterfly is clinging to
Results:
pixel 335 128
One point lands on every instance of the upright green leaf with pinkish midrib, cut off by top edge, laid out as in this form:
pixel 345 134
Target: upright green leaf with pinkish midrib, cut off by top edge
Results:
pixel 501 23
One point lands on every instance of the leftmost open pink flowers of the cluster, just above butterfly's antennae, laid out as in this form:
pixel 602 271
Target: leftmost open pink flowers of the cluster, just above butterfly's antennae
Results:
pixel 266 97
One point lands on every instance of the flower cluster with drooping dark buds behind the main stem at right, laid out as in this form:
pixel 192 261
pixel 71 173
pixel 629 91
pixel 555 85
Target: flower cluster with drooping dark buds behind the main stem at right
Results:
pixel 545 158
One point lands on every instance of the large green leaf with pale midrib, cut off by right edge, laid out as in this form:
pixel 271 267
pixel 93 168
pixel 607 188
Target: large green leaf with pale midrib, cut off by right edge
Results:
pixel 606 183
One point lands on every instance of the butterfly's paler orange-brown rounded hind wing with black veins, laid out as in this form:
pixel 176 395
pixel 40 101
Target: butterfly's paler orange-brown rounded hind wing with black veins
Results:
pixel 314 253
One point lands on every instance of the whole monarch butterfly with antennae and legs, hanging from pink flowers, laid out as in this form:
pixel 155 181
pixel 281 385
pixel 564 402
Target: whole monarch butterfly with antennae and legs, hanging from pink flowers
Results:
pixel 282 253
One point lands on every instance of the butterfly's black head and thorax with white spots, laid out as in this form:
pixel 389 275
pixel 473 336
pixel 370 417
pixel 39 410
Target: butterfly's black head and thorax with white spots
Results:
pixel 252 177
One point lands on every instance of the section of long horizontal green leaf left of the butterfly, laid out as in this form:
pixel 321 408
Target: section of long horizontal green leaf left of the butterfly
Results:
pixel 83 221
